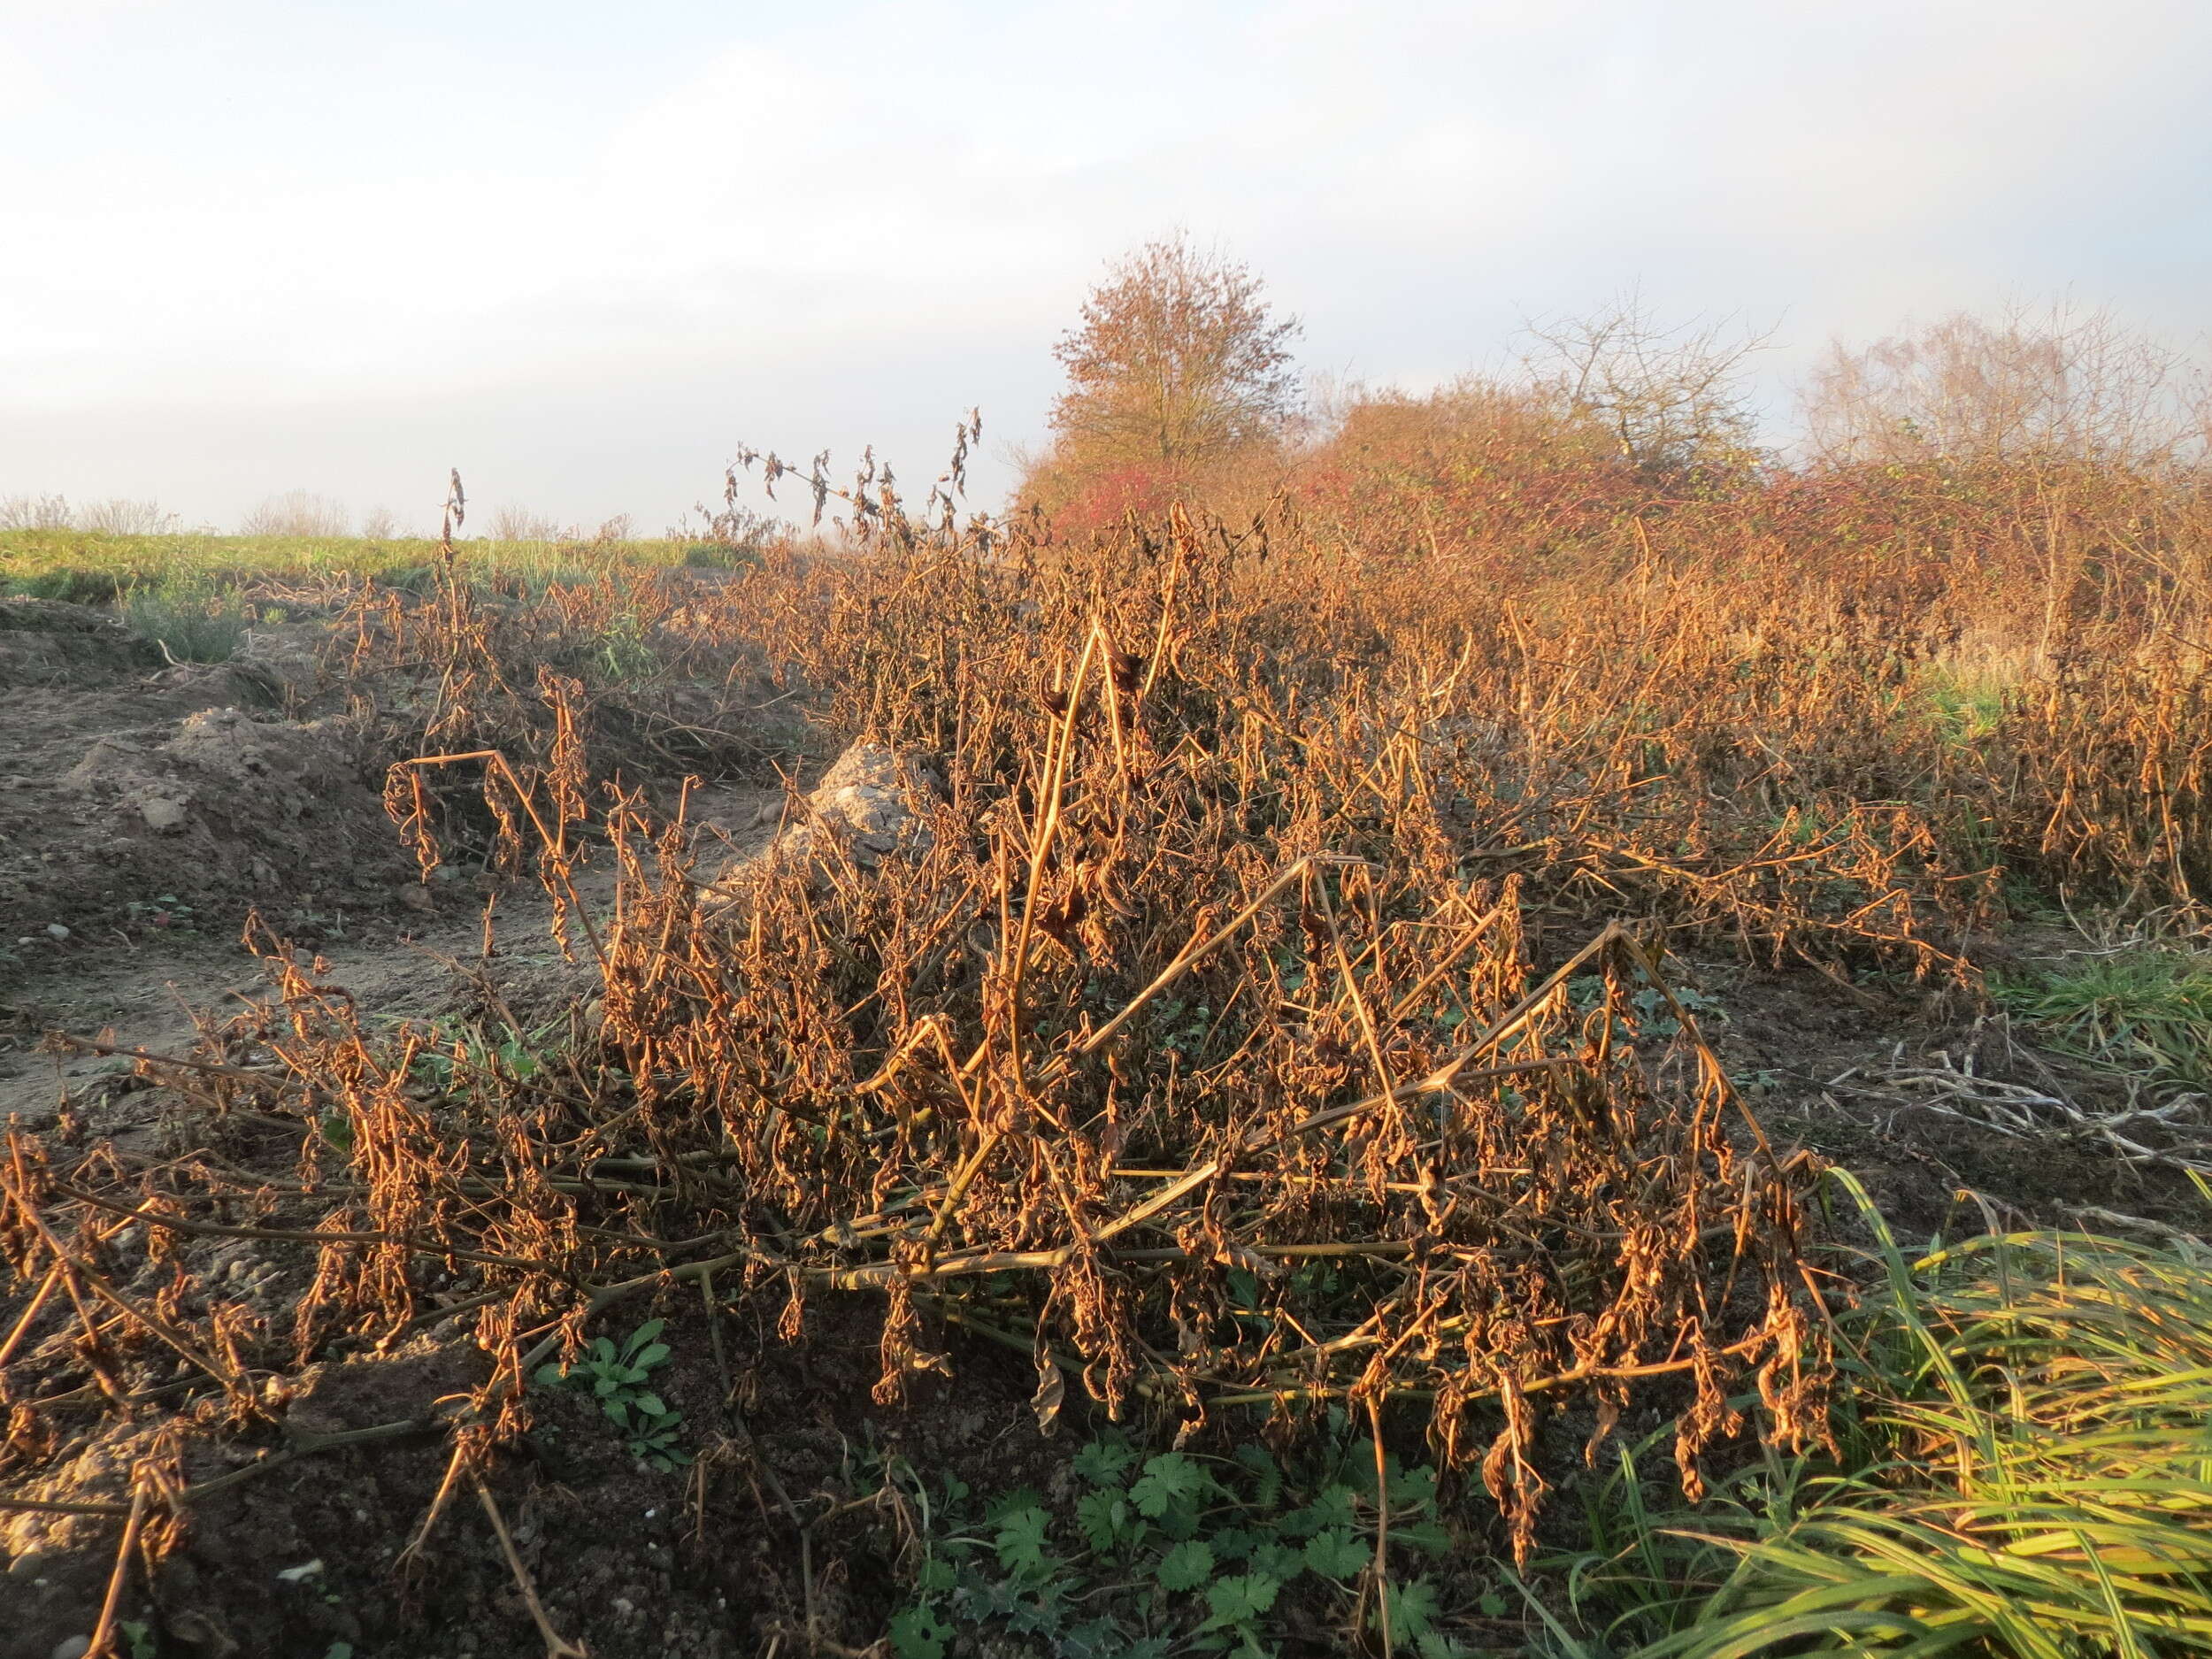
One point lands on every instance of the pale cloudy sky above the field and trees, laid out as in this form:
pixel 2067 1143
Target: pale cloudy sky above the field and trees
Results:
pixel 587 251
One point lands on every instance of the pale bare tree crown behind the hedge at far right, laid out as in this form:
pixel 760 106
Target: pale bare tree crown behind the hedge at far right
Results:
pixel 2052 384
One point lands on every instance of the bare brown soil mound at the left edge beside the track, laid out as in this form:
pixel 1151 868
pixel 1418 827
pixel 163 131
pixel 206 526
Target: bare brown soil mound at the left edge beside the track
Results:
pixel 145 800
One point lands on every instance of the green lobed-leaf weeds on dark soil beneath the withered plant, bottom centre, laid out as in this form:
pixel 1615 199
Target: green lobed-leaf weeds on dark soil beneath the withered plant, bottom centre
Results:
pixel 1171 1554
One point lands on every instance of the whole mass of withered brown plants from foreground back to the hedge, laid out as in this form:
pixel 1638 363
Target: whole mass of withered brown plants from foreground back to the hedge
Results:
pixel 1249 1032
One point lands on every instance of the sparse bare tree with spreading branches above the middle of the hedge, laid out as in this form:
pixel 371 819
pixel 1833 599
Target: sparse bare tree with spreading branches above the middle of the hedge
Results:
pixel 1671 397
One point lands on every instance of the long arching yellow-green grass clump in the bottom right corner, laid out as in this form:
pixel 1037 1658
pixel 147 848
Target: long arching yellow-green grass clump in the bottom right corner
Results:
pixel 2027 1474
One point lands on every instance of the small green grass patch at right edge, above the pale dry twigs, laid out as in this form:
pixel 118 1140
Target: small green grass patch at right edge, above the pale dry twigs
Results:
pixel 2142 1012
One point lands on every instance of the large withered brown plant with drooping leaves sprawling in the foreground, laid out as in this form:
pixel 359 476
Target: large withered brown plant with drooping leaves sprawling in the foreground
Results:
pixel 1191 1061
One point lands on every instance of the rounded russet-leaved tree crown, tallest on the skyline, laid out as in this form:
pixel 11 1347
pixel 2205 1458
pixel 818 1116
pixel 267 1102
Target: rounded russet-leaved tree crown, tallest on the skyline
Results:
pixel 1178 362
